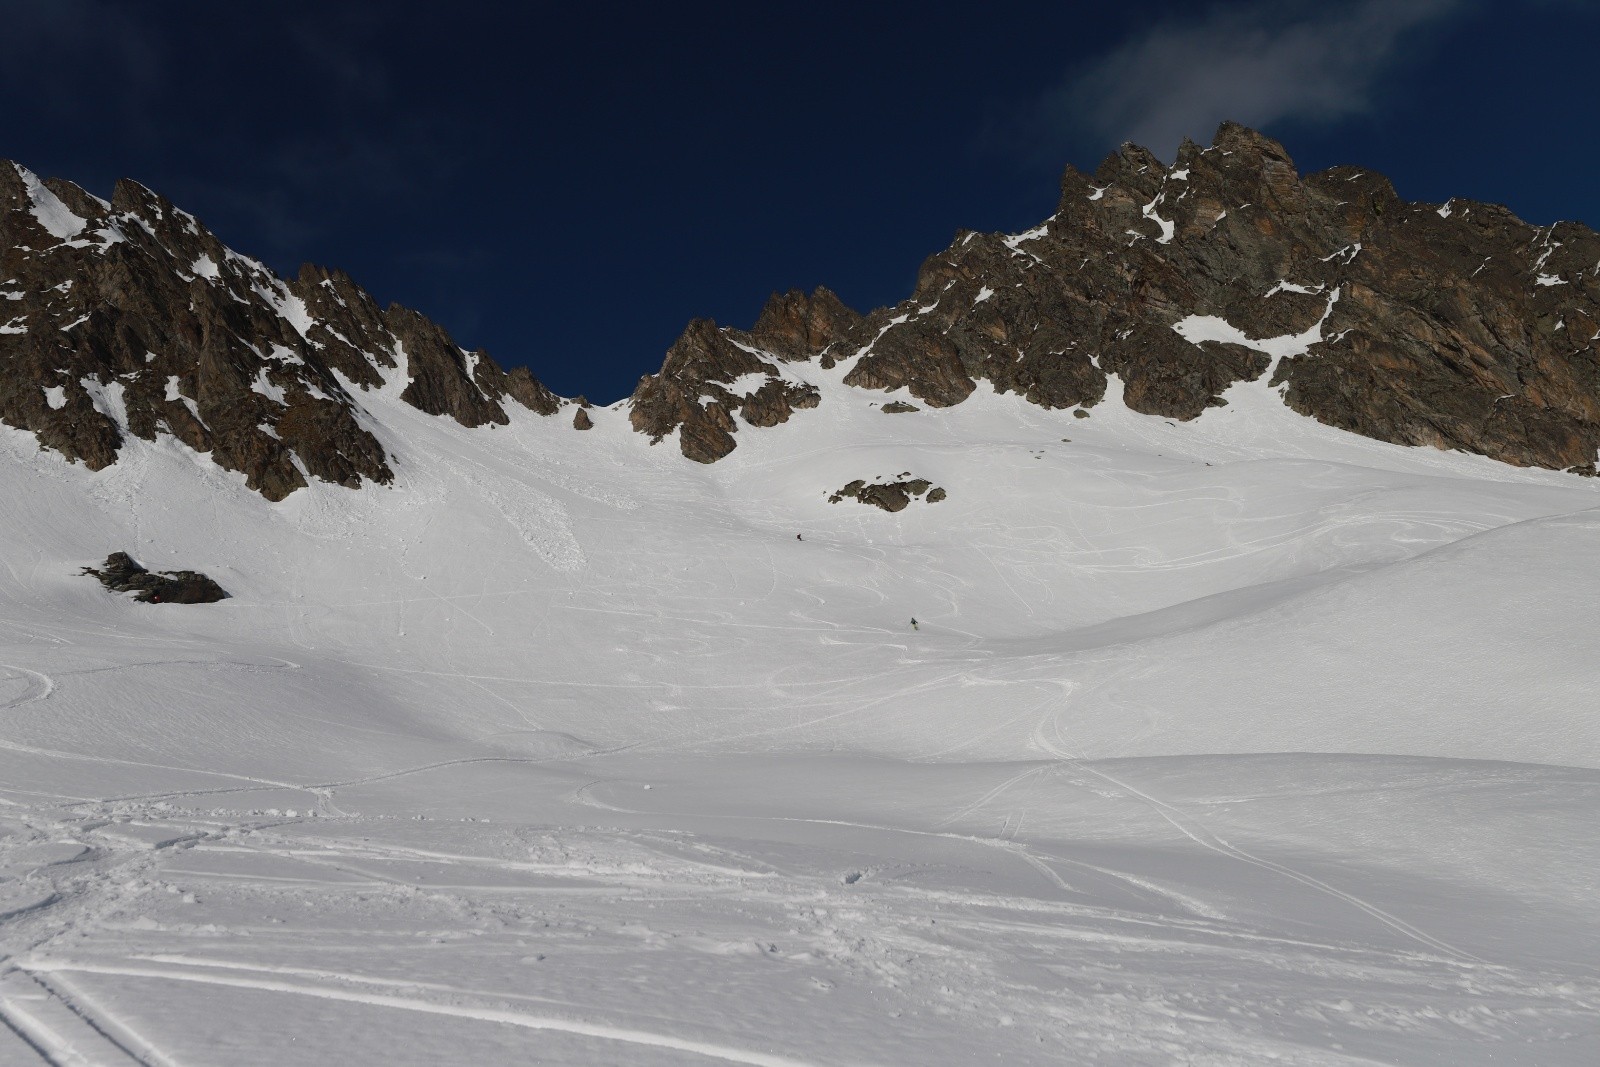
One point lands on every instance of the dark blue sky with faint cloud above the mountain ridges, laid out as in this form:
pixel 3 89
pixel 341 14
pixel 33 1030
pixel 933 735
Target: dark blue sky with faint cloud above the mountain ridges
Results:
pixel 569 188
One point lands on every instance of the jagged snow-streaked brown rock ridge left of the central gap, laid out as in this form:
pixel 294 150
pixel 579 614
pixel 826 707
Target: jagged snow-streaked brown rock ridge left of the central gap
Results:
pixel 132 319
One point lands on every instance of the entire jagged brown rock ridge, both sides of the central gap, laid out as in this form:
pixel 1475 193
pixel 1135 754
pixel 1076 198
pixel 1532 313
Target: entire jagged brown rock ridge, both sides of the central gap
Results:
pixel 1449 326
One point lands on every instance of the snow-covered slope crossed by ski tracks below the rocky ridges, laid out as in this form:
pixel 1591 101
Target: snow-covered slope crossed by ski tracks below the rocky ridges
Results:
pixel 1241 741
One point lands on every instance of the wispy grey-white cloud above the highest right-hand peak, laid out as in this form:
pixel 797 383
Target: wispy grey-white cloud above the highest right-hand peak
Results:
pixel 1257 65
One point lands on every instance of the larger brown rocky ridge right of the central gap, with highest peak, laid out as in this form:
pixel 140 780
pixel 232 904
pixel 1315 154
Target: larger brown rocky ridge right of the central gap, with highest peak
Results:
pixel 1452 326
